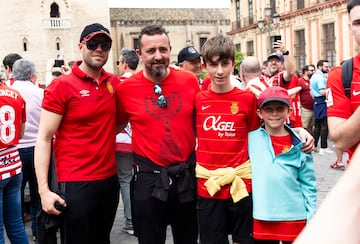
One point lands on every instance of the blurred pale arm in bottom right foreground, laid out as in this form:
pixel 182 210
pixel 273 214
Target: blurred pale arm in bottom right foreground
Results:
pixel 338 217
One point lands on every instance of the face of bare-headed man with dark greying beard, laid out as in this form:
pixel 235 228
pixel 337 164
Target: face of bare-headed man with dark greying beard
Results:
pixel 155 54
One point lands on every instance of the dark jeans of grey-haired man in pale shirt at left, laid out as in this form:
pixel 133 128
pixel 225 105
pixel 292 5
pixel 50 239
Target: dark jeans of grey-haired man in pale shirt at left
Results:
pixel 27 159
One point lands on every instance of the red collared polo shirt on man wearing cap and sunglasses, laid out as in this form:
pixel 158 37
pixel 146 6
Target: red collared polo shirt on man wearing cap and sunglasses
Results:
pixel 84 144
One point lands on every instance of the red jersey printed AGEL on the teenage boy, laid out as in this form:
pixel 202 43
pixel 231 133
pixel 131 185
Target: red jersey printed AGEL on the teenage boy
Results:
pixel 223 121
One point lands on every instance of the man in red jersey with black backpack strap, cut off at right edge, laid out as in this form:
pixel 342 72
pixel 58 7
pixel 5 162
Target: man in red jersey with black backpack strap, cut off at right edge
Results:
pixel 343 113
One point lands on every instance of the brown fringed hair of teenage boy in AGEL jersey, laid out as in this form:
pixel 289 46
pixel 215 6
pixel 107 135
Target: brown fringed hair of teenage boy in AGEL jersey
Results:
pixel 218 45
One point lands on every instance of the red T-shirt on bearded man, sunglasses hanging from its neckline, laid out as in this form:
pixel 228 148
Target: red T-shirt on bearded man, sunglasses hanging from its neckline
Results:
pixel 163 135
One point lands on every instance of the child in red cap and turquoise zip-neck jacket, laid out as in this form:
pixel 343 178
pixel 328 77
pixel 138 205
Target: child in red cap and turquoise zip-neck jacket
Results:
pixel 284 191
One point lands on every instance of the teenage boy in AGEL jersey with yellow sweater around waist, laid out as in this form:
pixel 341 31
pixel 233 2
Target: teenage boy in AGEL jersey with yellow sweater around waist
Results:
pixel 224 116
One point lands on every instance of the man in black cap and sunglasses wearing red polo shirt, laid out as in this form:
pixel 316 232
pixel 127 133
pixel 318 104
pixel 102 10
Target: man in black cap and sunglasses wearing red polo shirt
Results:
pixel 78 108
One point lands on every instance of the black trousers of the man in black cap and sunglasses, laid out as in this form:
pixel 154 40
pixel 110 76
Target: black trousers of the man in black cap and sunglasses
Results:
pixel 91 210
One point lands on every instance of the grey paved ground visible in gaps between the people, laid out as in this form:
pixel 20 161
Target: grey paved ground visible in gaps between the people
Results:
pixel 326 178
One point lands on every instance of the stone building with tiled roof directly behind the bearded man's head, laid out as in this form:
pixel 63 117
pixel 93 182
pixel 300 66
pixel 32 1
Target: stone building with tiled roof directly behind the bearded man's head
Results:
pixel 185 26
